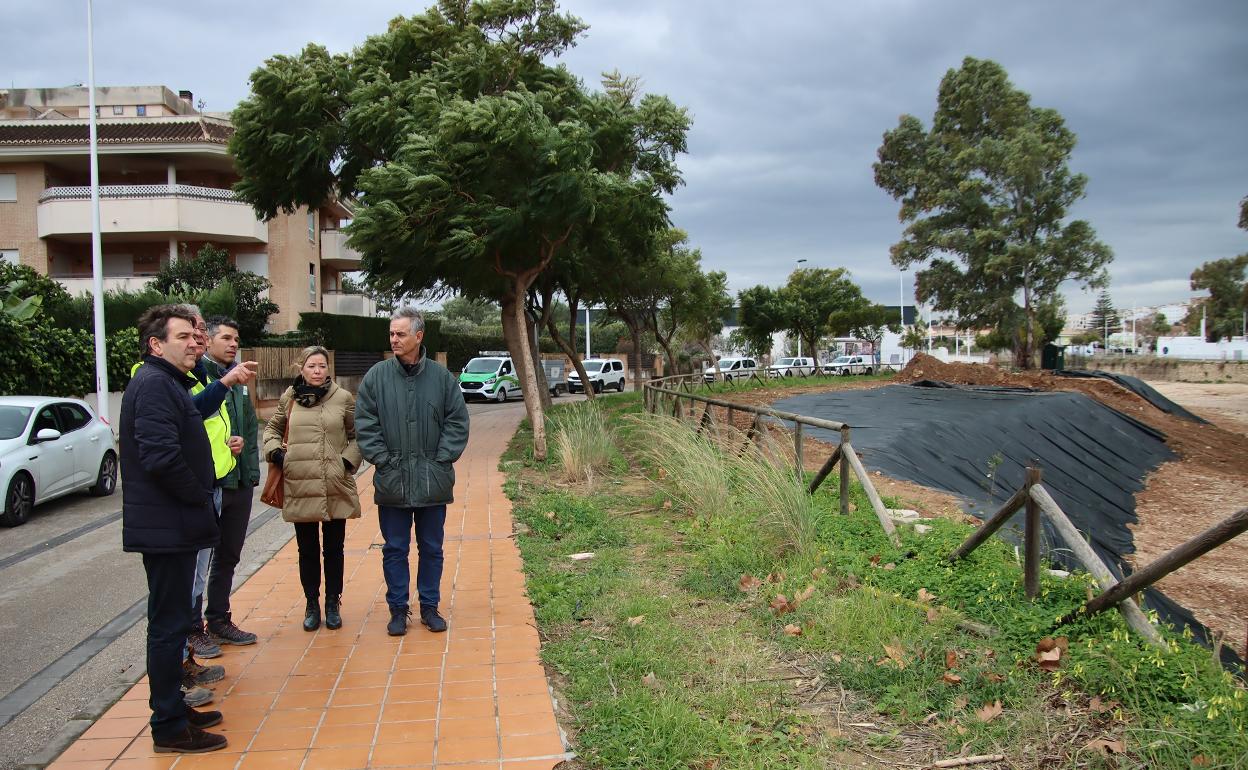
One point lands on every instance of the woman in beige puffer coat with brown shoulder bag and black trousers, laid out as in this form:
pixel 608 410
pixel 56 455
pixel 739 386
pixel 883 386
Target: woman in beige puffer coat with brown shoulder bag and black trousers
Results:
pixel 319 460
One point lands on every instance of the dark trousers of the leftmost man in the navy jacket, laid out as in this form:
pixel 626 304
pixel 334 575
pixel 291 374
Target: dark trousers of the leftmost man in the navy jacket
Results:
pixel 169 621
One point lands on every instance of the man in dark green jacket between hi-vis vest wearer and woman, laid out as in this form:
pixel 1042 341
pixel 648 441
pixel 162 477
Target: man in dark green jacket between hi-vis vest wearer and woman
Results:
pixel 236 487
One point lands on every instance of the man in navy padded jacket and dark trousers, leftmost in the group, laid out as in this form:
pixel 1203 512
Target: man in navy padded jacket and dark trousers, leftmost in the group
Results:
pixel 168 515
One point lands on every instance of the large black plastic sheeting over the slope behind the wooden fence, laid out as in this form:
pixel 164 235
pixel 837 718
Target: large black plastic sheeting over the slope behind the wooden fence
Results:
pixel 977 444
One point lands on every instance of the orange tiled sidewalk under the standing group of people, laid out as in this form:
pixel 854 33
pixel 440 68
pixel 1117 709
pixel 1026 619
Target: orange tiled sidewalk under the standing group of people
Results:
pixel 475 697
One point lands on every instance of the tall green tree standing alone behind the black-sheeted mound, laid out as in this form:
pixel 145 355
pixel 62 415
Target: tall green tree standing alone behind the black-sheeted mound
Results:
pixel 987 195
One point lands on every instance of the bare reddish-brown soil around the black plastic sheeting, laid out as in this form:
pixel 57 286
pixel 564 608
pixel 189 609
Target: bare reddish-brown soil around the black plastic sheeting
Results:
pixel 1207 484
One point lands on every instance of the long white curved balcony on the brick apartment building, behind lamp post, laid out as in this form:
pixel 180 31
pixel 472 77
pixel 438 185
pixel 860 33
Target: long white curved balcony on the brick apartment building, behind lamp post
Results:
pixel 150 213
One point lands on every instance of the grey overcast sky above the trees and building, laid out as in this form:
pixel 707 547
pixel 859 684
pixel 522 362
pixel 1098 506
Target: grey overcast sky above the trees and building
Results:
pixel 791 105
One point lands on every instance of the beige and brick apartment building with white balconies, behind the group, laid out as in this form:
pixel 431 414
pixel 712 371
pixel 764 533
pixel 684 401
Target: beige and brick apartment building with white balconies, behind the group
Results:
pixel 165 192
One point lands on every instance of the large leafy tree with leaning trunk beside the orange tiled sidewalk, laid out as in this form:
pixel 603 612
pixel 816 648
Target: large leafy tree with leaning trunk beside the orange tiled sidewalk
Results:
pixel 476 163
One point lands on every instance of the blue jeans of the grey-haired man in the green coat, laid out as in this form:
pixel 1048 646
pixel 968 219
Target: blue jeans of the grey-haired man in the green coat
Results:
pixel 396 525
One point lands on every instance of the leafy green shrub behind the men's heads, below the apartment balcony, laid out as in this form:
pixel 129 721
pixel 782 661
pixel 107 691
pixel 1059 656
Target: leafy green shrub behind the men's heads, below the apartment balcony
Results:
pixel 208 271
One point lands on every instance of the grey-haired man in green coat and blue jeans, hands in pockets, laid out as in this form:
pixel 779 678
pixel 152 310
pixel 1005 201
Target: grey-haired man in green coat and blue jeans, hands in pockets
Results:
pixel 412 425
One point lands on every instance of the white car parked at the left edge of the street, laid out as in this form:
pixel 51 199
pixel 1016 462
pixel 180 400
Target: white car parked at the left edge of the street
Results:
pixel 51 447
